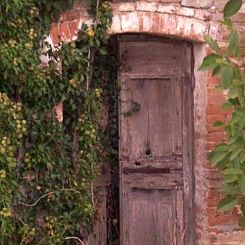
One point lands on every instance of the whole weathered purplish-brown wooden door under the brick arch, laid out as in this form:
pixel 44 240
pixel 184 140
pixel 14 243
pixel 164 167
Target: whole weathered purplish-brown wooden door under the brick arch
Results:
pixel 156 155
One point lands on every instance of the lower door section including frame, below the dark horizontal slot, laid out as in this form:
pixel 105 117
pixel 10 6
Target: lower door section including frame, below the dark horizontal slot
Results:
pixel 153 210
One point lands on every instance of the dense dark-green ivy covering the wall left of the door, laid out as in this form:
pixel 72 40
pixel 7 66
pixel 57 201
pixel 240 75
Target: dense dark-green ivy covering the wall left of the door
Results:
pixel 52 144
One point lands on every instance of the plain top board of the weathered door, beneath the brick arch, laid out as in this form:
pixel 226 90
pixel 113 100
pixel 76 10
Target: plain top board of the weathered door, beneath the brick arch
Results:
pixel 147 58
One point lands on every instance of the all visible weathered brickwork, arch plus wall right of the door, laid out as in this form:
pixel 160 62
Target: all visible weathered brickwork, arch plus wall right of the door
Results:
pixel 187 20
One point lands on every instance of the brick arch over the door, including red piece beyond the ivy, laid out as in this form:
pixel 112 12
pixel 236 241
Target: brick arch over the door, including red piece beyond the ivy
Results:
pixel 143 17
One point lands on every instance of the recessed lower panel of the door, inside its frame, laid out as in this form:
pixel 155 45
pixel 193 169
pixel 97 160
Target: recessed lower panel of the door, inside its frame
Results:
pixel 152 217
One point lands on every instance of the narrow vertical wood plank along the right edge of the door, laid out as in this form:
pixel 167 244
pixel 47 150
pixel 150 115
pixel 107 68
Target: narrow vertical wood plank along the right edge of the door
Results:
pixel 188 152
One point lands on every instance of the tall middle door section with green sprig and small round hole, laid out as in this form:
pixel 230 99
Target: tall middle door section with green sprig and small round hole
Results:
pixel 151 117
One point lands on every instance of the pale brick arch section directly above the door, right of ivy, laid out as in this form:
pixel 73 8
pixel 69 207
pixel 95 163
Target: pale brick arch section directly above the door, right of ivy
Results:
pixel 177 22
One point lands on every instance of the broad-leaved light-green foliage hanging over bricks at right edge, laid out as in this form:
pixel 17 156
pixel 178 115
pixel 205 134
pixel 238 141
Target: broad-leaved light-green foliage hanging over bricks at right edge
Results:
pixel 230 156
